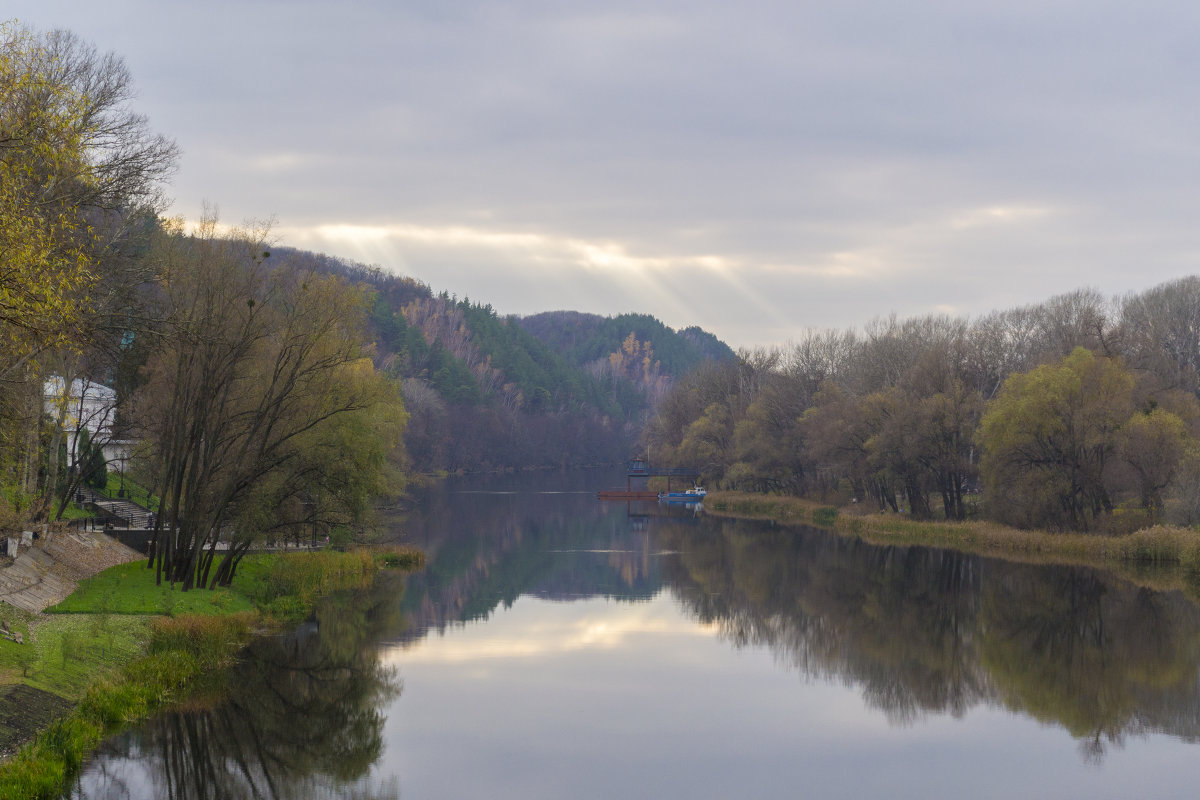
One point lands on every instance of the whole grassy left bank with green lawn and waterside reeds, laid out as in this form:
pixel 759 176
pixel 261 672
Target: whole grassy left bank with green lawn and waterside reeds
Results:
pixel 169 642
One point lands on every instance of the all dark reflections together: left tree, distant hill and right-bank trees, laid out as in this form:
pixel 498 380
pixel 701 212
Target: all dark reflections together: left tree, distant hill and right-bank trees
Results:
pixel 917 631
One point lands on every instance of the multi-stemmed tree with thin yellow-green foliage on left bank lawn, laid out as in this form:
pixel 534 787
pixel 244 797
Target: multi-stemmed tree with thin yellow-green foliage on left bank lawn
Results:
pixel 261 407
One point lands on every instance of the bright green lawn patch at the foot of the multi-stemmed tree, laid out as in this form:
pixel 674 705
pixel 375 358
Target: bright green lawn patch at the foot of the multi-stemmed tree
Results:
pixel 130 590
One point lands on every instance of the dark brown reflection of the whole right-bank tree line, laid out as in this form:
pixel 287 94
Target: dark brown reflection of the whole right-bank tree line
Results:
pixel 926 631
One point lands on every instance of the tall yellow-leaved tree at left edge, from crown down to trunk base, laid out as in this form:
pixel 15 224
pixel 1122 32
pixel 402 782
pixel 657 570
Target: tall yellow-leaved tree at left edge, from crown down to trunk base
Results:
pixel 80 171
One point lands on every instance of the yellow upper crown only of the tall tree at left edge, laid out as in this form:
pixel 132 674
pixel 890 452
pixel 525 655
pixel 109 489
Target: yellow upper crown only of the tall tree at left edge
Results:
pixel 73 157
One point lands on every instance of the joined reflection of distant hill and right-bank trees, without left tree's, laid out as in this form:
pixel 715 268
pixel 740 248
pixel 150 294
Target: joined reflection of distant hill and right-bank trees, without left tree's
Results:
pixel 920 631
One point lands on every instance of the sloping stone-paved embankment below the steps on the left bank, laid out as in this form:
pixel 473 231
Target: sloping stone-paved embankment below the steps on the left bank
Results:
pixel 50 572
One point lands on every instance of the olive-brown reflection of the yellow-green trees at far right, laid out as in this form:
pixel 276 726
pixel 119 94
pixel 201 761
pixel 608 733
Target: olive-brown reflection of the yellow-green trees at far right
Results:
pixel 1099 657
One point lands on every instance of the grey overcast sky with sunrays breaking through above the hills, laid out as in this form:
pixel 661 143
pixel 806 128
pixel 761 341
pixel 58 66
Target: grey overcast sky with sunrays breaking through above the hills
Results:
pixel 755 169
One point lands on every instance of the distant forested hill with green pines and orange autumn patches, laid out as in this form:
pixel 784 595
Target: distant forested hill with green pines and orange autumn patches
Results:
pixel 487 392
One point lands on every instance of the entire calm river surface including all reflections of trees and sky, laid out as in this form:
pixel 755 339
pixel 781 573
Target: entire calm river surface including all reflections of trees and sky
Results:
pixel 557 647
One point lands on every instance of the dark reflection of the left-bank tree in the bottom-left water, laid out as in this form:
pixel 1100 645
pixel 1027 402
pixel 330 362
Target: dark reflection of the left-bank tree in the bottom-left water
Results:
pixel 299 719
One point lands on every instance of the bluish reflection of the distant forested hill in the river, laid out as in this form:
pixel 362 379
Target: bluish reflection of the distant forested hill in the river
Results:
pixel 543 536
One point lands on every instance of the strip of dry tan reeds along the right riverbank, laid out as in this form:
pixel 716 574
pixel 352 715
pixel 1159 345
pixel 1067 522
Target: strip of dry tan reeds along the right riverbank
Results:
pixel 1159 546
